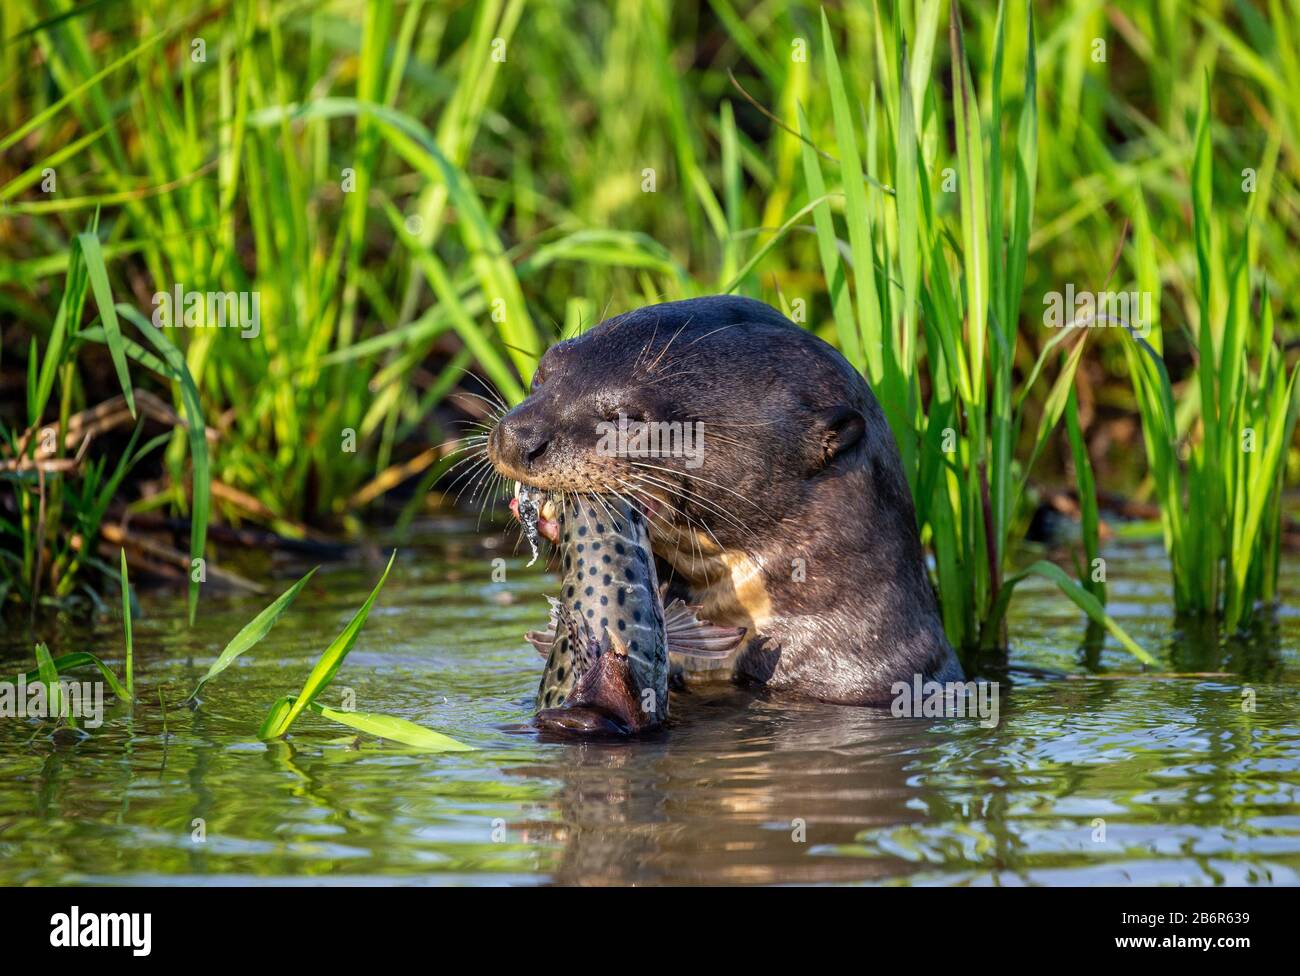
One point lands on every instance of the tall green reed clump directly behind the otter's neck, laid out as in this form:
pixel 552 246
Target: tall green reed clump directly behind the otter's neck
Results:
pixel 939 300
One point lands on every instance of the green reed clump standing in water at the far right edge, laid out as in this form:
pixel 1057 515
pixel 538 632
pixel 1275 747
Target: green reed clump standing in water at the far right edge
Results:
pixel 1220 484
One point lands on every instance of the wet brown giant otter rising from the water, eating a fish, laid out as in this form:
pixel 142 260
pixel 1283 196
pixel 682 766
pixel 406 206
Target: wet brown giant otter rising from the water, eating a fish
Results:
pixel 795 519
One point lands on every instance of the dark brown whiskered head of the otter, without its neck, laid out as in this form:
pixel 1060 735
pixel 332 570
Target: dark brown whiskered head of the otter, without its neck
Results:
pixel 718 415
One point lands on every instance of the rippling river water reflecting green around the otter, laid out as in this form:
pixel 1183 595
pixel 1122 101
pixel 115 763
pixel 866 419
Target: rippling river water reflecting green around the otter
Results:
pixel 1106 780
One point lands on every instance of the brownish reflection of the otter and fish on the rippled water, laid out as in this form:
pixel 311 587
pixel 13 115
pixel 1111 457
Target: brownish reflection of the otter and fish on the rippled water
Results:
pixel 739 791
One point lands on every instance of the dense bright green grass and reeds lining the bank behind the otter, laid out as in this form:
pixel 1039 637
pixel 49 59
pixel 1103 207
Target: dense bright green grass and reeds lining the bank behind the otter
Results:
pixel 415 190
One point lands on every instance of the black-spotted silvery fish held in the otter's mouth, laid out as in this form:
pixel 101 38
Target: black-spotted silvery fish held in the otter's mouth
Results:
pixel 610 636
